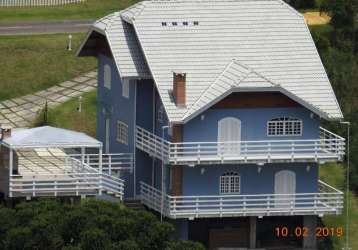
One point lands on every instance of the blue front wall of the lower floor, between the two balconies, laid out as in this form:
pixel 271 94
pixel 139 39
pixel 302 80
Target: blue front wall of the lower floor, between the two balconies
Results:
pixel 252 182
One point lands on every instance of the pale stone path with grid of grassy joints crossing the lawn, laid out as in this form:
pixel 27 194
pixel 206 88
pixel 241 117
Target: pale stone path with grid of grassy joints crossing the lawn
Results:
pixel 22 111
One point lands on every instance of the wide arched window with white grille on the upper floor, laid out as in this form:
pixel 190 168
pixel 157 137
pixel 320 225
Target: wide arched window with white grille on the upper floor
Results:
pixel 284 126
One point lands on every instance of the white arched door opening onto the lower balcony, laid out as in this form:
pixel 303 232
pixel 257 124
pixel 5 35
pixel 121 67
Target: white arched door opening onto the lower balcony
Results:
pixel 285 187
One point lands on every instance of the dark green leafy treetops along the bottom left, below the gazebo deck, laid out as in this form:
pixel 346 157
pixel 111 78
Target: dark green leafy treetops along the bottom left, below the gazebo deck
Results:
pixel 91 224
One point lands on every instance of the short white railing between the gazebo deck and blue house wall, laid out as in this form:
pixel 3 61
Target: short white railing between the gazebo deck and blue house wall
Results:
pixel 111 163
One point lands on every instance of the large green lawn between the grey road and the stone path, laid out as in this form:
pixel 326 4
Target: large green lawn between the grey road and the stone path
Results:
pixel 32 63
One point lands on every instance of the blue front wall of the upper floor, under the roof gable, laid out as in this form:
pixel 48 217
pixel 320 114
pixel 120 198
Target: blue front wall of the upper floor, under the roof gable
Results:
pixel 253 123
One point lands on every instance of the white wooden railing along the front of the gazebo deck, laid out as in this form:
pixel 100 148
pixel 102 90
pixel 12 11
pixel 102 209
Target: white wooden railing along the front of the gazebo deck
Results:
pixel 77 179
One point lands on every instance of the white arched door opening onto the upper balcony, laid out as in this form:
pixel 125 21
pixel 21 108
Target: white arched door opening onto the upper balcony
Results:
pixel 229 136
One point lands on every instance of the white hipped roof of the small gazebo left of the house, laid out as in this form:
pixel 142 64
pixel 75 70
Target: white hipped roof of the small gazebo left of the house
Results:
pixel 42 137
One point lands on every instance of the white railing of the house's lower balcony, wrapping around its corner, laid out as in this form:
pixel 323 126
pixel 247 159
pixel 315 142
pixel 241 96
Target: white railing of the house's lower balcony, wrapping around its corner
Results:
pixel 327 201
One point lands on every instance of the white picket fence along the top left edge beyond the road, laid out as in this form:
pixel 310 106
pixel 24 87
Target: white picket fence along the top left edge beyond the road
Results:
pixel 35 3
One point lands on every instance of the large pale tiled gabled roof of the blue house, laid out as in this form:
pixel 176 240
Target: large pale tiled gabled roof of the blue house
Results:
pixel 267 38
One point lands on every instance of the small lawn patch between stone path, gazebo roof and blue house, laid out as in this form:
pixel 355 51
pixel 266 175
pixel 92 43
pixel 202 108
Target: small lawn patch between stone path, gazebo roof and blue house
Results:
pixel 67 116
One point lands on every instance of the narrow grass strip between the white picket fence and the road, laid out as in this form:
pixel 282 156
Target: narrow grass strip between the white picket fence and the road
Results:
pixel 91 9
